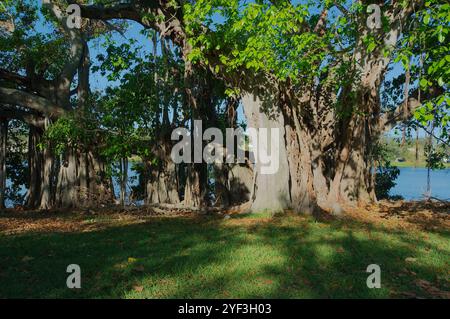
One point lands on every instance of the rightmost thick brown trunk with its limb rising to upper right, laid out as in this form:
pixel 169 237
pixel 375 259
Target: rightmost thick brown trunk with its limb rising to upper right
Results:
pixel 352 181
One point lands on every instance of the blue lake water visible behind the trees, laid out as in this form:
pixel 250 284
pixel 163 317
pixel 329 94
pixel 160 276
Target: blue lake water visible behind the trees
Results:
pixel 411 184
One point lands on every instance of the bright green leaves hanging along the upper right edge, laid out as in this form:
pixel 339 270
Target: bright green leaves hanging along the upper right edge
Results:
pixel 425 49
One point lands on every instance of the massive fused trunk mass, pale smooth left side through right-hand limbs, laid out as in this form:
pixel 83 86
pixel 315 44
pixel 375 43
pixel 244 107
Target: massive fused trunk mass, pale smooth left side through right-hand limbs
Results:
pixel 327 149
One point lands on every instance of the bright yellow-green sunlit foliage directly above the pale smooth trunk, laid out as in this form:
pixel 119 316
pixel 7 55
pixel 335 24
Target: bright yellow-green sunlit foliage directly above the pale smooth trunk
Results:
pixel 256 36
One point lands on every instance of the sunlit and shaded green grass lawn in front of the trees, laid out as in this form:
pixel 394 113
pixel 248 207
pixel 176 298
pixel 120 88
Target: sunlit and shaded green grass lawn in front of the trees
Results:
pixel 206 257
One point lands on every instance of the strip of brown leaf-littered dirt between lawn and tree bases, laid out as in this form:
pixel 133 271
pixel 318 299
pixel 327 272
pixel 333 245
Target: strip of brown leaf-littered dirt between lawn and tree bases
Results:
pixel 426 216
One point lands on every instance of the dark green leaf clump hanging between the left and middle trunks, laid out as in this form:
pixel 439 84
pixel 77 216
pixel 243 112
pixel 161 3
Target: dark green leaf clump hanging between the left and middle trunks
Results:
pixel 130 113
